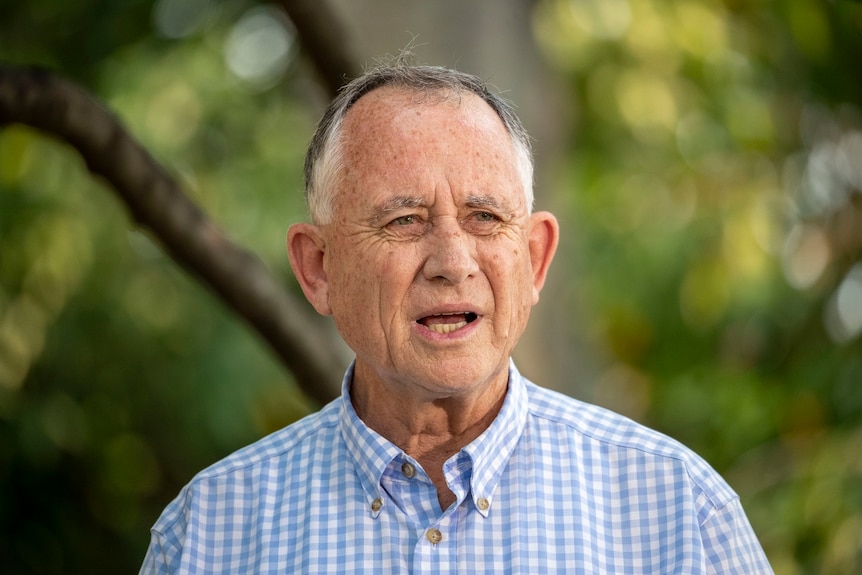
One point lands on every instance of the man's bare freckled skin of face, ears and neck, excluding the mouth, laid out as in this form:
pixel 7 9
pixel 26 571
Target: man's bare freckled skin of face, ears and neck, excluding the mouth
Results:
pixel 430 216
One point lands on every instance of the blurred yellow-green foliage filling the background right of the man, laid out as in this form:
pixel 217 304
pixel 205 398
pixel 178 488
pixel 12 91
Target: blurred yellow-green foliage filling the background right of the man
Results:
pixel 714 189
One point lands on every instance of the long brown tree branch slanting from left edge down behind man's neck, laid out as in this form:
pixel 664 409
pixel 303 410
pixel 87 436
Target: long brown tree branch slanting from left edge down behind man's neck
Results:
pixel 44 101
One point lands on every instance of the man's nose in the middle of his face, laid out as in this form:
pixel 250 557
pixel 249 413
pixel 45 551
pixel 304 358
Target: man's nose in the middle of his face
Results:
pixel 451 254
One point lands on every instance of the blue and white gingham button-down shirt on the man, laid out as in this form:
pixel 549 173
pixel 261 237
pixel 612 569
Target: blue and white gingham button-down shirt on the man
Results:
pixel 554 485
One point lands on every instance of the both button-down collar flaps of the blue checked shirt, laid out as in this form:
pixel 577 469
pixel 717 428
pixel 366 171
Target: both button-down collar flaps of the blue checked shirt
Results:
pixel 489 453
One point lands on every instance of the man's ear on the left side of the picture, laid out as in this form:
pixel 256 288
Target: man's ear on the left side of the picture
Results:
pixel 306 249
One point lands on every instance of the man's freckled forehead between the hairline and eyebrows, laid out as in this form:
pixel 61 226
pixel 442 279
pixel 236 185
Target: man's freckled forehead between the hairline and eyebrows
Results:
pixel 398 140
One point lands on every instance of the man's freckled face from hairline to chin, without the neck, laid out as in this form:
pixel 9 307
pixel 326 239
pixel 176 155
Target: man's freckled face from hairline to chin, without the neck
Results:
pixel 427 259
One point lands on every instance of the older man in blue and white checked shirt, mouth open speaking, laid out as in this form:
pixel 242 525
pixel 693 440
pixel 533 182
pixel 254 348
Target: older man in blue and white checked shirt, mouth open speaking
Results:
pixel 440 457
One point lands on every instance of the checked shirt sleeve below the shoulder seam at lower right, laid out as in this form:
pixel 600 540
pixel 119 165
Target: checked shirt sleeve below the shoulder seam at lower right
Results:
pixel 730 544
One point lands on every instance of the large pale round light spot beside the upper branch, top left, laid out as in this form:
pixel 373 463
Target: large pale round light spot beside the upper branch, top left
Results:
pixel 260 47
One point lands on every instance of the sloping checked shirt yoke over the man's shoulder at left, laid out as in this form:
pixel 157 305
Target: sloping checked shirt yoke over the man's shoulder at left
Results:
pixel 289 442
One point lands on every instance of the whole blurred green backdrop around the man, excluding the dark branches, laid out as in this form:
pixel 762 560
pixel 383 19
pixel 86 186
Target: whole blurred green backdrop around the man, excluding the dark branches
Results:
pixel 704 159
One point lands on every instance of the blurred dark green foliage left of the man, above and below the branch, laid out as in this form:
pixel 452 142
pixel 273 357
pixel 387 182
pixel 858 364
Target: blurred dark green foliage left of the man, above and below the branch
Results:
pixel 120 376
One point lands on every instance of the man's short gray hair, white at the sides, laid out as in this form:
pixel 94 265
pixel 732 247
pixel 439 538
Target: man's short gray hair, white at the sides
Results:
pixel 324 159
